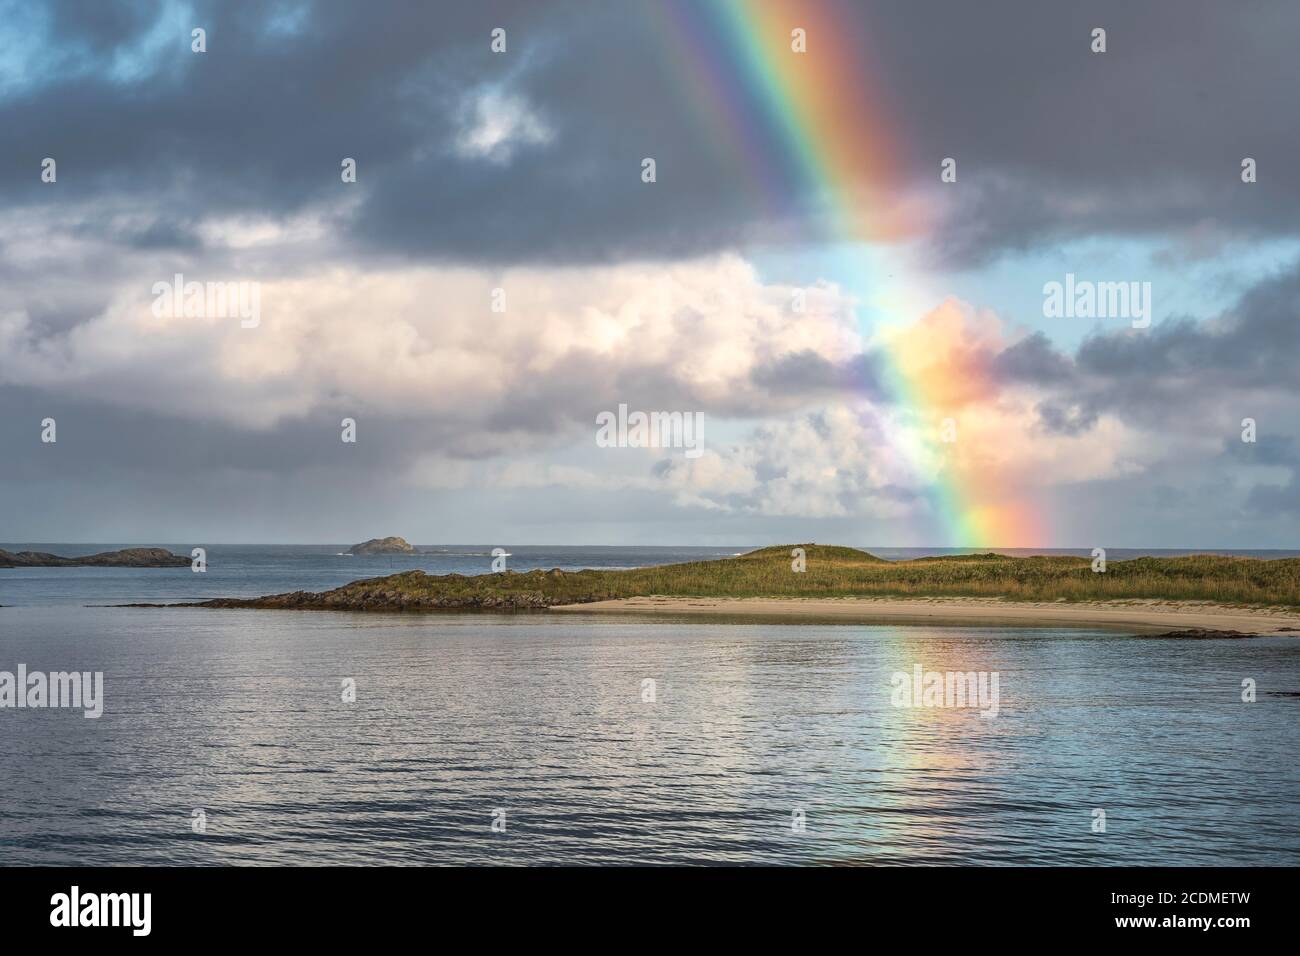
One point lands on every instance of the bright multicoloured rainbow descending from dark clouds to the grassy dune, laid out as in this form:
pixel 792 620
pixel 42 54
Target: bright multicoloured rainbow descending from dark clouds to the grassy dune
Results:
pixel 805 128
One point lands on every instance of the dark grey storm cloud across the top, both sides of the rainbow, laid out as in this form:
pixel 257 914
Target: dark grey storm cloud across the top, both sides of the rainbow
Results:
pixel 1051 140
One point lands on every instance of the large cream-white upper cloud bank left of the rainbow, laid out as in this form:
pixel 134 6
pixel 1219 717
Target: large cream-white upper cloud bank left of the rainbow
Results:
pixel 426 344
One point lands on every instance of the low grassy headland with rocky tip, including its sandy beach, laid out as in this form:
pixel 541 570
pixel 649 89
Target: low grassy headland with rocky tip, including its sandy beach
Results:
pixel 834 583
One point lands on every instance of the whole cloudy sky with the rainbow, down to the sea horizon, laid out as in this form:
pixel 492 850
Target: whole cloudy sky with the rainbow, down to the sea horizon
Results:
pixel 839 267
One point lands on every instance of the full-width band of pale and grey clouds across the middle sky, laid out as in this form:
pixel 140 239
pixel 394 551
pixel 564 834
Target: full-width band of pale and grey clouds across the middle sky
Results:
pixel 450 395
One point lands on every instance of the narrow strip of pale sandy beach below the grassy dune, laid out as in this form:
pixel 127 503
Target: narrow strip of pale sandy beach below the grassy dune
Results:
pixel 1138 617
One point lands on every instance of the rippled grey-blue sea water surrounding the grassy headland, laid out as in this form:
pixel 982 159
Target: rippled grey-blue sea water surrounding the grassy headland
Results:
pixel 543 721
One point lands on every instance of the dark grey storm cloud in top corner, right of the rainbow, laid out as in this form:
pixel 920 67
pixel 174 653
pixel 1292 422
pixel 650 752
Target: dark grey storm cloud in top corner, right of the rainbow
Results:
pixel 1055 141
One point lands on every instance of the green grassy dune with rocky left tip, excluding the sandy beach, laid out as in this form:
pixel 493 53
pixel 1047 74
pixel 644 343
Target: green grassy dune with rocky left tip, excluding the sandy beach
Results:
pixel 831 573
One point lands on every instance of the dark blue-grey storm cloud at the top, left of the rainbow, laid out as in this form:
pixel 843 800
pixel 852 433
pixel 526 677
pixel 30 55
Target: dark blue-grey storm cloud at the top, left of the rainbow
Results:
pixel 261 123
